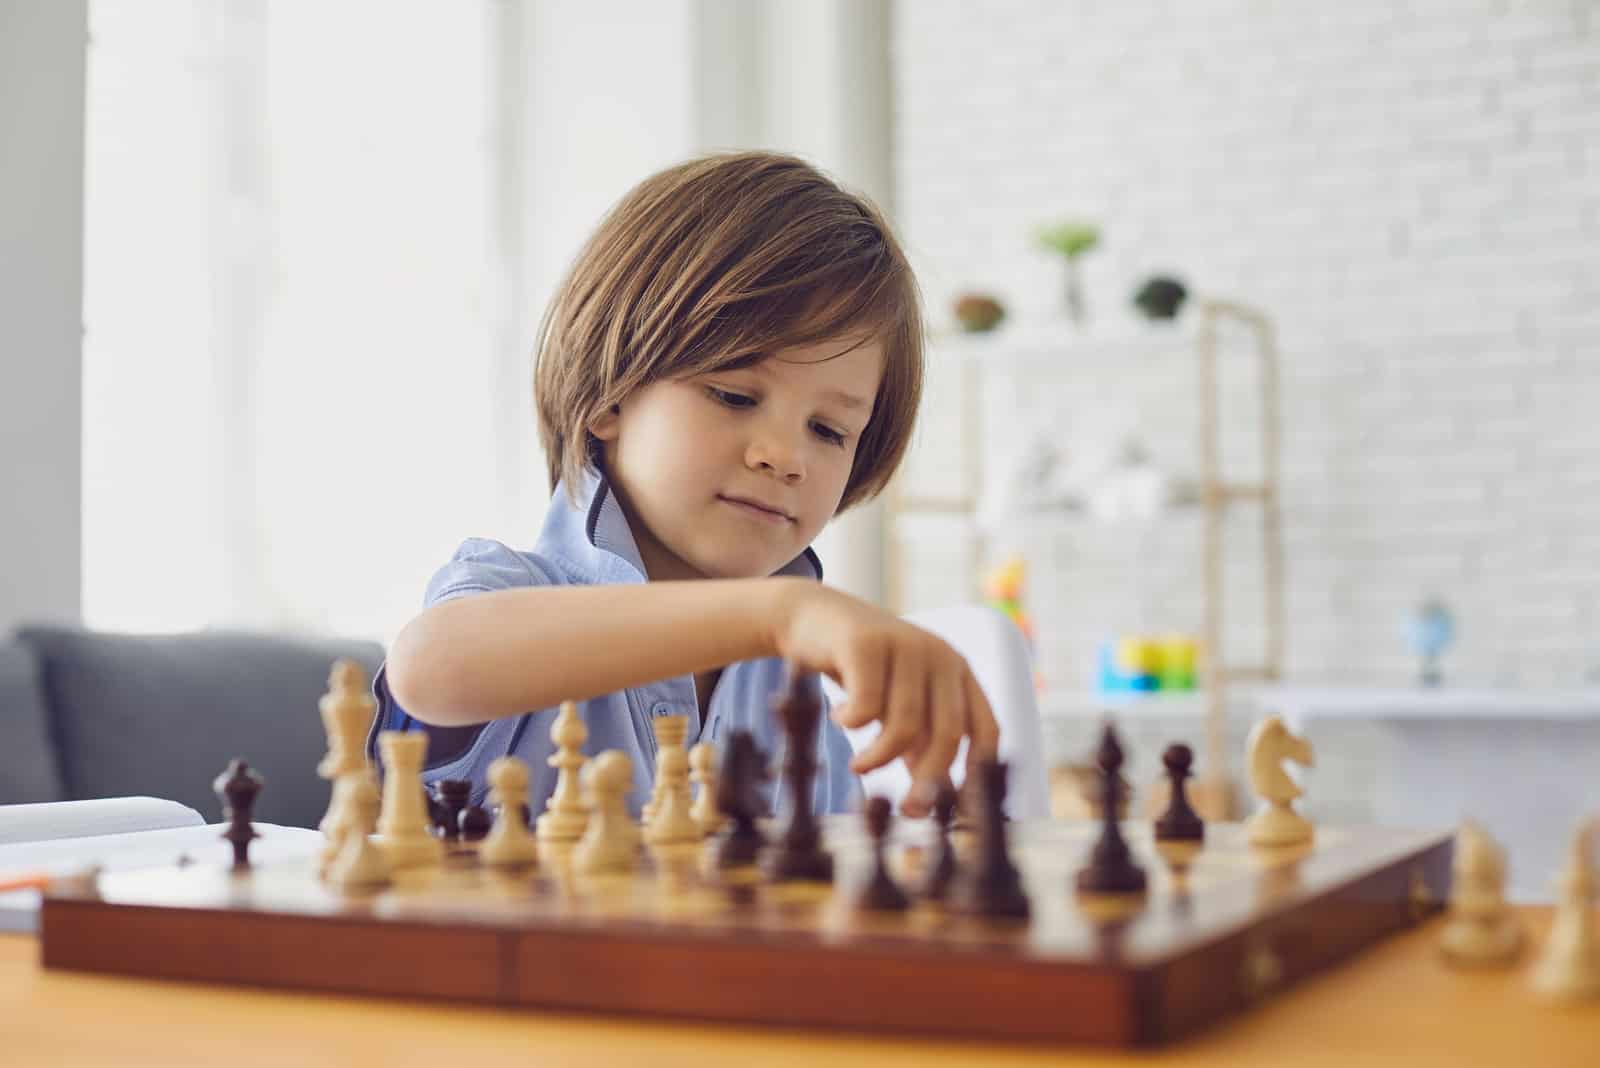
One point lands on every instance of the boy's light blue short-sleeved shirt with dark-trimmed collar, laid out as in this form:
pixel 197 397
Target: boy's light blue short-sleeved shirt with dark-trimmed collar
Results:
pixel 591 544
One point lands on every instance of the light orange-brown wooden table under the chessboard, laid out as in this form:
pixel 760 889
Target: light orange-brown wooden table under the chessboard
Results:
pixel 1394 1005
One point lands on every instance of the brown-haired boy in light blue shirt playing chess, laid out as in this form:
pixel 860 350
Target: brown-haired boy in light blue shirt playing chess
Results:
pixel 734 359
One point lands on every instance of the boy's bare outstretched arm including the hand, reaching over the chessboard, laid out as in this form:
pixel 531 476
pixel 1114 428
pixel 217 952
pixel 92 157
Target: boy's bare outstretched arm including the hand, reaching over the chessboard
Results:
pixel 505 653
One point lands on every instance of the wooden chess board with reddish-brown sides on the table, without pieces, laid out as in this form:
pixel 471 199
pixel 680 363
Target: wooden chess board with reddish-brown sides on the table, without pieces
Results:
pixel 1220 928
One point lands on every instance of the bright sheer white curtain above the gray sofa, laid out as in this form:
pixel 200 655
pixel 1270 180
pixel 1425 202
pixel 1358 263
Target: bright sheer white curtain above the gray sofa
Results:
pixel 303 385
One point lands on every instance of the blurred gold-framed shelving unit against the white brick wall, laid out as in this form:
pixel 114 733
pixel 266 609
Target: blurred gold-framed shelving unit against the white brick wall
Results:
pixel 1218 493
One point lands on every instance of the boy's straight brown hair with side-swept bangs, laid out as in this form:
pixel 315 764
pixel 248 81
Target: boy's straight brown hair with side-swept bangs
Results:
pixel 714 265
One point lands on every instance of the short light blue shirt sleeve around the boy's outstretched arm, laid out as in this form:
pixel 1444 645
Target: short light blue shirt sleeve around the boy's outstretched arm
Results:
pixel 478 567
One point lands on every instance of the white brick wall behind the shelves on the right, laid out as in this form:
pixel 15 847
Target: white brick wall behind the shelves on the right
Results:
pixel 1410 191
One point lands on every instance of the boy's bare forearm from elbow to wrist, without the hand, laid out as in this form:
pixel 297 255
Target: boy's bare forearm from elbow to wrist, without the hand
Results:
pixel 506 653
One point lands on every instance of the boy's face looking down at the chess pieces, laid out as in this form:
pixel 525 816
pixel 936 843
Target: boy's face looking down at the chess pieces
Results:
pixel 732 474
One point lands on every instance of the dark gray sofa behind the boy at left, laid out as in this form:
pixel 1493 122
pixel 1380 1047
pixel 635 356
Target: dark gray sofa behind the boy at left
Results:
pixel 98 715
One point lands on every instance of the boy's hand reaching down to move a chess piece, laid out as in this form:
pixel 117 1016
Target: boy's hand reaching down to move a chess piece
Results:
pixel 911 680
